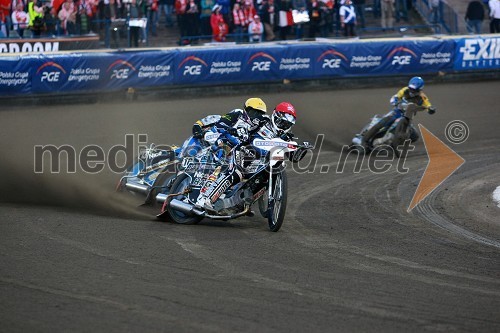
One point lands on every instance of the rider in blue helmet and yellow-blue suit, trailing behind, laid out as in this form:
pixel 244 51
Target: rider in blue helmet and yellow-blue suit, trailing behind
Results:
pixel 411 94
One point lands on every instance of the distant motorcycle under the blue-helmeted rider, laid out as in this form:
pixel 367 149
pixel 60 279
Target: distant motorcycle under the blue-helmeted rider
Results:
pixel 393 135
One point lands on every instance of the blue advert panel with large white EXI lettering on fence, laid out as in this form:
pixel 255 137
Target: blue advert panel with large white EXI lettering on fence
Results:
pixel 477 53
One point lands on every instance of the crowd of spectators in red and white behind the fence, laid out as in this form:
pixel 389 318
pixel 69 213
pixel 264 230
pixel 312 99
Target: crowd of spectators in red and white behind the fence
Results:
pixel 216 20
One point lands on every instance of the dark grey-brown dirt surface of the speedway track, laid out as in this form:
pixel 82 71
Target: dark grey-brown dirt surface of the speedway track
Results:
pixel 74 256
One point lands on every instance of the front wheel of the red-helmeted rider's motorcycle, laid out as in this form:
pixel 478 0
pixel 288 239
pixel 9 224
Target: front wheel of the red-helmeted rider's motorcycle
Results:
pixel 277 204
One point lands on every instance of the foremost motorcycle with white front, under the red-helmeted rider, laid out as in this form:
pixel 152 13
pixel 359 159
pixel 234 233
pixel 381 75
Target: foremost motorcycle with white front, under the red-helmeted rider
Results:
pixel 264 182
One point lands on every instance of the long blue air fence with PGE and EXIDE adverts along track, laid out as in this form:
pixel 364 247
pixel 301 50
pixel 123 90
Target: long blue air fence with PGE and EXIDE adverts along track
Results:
pixel 107 71
